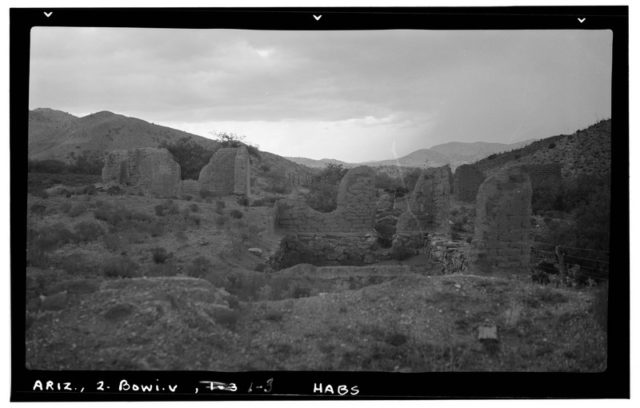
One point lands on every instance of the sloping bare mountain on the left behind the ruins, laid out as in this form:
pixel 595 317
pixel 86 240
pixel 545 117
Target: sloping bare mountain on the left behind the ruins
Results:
pixel 59 135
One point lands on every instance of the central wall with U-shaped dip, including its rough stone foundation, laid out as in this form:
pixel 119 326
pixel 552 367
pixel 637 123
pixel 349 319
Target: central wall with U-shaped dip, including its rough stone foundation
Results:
pixel 344 236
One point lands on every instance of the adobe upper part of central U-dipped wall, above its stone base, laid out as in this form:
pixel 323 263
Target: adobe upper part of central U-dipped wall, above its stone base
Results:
pixel 355 211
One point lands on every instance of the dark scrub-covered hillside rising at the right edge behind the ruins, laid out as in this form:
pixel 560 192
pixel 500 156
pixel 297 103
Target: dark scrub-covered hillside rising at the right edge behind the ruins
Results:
pixel 585 152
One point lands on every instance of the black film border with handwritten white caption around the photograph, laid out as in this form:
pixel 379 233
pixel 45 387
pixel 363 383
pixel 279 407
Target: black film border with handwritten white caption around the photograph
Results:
pixel 612 383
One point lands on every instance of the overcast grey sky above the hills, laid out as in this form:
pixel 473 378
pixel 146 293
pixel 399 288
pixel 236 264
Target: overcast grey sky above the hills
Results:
pixel 348 95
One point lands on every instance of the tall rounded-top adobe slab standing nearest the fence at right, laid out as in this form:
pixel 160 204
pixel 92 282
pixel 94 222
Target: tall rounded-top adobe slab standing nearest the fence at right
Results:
pixel 501 242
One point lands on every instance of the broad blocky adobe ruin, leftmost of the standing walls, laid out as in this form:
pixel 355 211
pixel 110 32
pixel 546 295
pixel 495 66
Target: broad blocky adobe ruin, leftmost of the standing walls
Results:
pixel 151 170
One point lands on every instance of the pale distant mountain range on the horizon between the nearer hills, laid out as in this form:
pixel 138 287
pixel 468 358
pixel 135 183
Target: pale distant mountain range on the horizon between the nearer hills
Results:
pixel 453 153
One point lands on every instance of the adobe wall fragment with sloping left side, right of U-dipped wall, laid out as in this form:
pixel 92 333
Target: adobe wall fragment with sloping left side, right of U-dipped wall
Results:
pixel 427 211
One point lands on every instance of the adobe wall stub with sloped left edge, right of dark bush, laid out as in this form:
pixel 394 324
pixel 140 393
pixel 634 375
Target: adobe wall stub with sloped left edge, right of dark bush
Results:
pixel 228 172
